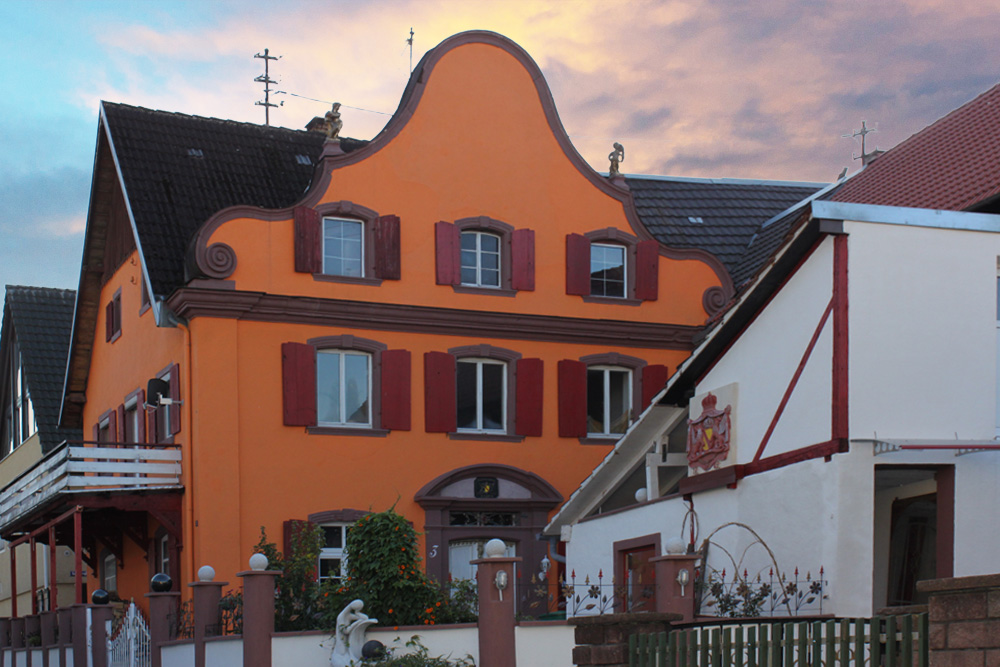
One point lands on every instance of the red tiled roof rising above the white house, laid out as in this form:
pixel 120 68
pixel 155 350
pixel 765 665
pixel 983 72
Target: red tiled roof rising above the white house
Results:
pixel 952 164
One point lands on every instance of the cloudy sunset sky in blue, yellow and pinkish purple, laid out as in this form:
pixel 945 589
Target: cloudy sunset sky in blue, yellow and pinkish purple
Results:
pixel 759 89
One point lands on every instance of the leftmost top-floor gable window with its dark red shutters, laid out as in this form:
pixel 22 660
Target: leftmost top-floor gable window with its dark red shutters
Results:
pixel 344 242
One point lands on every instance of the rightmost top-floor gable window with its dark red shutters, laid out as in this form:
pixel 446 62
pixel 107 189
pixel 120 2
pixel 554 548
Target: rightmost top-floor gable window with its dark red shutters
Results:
pixel 611 265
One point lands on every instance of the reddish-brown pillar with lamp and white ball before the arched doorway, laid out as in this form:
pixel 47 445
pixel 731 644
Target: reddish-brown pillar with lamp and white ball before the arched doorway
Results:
pixel 496 606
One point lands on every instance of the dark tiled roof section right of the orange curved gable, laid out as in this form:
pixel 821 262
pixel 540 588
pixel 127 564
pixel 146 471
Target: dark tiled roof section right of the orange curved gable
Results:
pixel 717 215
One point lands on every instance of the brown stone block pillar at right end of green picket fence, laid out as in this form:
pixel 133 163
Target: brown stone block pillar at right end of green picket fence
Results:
pixel 964 618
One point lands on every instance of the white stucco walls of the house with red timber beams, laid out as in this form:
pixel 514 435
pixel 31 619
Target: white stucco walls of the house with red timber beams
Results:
pixel 923 338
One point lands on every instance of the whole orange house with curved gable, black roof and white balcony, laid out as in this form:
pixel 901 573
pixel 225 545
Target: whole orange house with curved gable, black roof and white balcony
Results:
pixel 457 318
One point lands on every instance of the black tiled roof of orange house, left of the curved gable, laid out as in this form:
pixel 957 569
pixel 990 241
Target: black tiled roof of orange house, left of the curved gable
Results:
pixel 178 170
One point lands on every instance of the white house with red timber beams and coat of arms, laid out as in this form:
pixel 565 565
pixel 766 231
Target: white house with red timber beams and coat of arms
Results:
pixel 861 375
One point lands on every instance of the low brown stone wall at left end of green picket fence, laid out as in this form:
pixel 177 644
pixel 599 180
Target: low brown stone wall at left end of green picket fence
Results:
pixel 603 640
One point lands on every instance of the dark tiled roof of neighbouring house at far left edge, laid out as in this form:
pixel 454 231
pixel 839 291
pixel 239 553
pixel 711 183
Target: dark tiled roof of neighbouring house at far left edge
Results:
pixel 42 318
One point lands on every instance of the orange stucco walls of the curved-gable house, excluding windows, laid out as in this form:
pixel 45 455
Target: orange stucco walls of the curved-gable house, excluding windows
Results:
pixel 476 137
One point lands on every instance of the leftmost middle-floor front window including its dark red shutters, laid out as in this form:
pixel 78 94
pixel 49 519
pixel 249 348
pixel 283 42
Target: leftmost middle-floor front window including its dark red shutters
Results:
pixel 345 385
